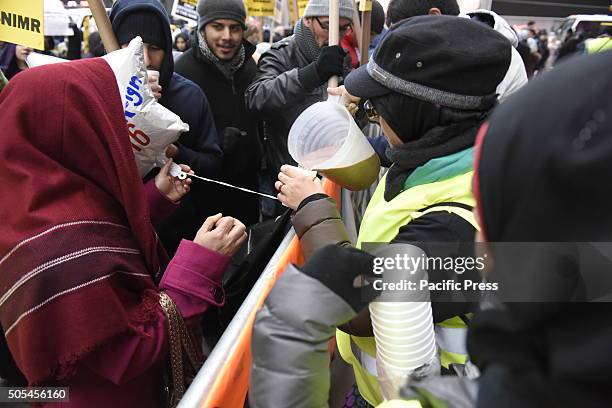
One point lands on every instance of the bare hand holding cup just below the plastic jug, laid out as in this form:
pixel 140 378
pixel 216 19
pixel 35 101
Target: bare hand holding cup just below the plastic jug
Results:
pixel 295 184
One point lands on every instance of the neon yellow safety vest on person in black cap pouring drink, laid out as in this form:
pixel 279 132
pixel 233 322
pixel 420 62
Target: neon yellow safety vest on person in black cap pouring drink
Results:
pixel 381 223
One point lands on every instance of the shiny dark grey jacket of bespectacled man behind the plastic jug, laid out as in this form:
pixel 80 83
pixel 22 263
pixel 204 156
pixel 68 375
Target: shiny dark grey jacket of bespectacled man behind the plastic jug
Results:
pixel 285 85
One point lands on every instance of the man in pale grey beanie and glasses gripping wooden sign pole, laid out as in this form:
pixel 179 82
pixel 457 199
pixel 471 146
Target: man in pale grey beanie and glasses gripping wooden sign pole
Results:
pixel 293 75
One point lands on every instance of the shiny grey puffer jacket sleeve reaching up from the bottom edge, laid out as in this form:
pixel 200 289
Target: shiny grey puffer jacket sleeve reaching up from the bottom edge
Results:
pixel 290 336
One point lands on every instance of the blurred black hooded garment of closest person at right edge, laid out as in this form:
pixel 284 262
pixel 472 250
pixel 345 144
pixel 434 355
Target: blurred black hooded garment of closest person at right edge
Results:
pixel 541 178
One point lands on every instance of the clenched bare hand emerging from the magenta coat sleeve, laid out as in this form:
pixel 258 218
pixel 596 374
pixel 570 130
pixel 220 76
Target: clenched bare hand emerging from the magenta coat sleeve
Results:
pixel 221 234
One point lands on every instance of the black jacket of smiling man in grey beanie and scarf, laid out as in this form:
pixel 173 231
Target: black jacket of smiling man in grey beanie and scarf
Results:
pixel 242 160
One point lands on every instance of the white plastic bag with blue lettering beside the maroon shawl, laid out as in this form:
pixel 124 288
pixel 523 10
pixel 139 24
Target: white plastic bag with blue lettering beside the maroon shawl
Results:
pixel 151 127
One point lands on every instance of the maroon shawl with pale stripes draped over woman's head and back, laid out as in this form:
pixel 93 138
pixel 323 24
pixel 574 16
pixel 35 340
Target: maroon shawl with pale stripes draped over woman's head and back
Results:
pixel 77 249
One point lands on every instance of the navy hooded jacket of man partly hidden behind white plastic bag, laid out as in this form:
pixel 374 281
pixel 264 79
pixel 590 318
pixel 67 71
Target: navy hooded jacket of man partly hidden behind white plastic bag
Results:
pixel 199 147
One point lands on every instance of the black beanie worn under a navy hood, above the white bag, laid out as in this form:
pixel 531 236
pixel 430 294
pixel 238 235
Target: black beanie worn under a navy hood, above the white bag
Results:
pixel 143 23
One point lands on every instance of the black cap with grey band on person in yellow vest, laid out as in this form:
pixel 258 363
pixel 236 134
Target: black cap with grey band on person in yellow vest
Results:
pixel 446 60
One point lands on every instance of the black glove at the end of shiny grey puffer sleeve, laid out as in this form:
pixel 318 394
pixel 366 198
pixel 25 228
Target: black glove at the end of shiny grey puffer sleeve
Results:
pixel 337 267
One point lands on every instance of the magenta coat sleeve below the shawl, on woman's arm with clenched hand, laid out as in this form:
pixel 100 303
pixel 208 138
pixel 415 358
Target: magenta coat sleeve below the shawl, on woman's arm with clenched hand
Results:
pixel 193 281
